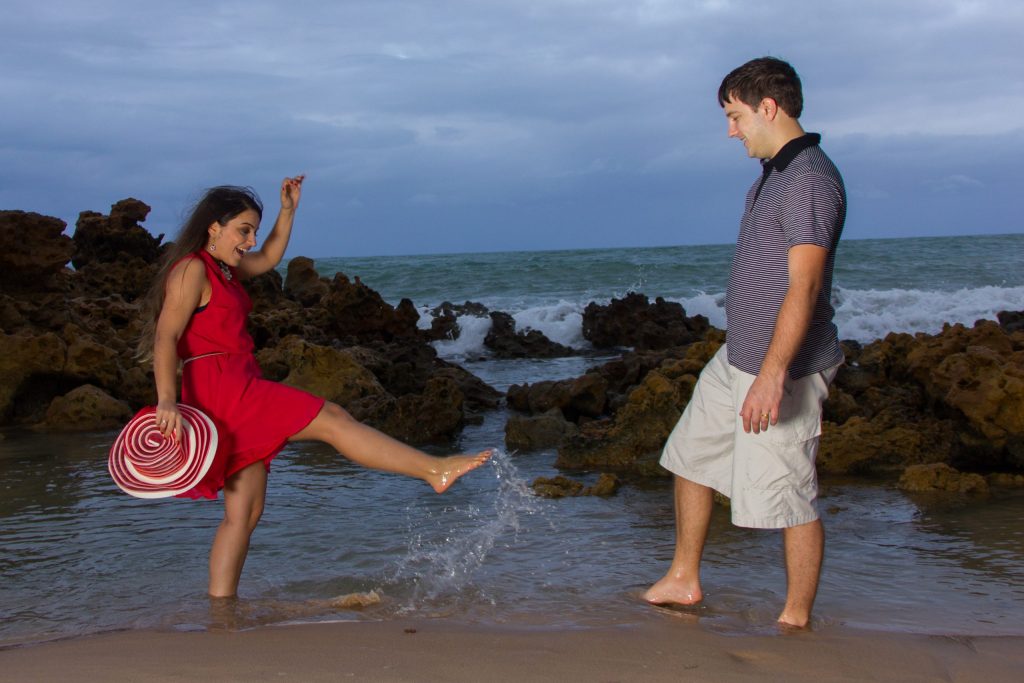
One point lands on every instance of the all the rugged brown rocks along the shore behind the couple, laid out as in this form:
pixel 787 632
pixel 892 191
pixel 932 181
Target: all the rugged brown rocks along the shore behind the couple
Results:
pixel 68 340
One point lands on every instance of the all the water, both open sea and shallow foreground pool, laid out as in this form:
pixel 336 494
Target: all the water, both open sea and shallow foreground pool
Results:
pixel 77 557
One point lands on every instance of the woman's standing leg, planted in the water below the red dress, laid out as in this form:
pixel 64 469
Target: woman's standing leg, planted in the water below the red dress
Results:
pixel 244 495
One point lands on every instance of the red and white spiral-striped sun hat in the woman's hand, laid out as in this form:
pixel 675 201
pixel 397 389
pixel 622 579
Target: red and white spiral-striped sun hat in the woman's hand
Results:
pixel 145 464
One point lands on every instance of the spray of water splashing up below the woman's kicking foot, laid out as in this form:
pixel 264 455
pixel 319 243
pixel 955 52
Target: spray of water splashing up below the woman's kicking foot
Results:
pixel 443 562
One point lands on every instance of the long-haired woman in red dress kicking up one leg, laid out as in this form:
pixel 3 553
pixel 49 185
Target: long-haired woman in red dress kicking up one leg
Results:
pixel 198 313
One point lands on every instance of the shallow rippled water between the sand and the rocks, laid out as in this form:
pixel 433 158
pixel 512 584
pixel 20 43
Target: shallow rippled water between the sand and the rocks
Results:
pixel 77 557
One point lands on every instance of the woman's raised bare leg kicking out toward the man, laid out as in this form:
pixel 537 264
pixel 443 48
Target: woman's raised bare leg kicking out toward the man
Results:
pixel 370 448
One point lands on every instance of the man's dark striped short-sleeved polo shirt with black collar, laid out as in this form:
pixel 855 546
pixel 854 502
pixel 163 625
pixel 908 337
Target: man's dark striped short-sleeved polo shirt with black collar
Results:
pixel 799 200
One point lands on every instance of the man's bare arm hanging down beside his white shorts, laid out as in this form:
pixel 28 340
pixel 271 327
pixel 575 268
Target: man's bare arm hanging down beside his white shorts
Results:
pixel 807 268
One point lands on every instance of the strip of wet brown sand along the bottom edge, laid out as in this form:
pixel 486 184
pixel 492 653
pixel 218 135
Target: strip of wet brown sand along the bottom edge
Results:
pixel 668 650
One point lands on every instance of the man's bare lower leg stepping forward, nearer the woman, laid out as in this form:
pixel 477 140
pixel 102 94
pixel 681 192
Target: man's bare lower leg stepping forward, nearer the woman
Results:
pixel 682 583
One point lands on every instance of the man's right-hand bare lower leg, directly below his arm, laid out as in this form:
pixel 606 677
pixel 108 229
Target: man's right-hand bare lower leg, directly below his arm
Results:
pixel 804 549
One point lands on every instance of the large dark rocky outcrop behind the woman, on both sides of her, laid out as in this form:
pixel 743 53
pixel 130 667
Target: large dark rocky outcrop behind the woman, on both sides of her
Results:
pixel 68 362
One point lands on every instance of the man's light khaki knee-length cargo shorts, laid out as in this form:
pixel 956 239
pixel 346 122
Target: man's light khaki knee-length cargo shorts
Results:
pixel 771 478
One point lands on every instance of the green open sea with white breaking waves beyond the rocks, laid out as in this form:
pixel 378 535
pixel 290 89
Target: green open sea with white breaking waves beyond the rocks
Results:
pixel 880 286
